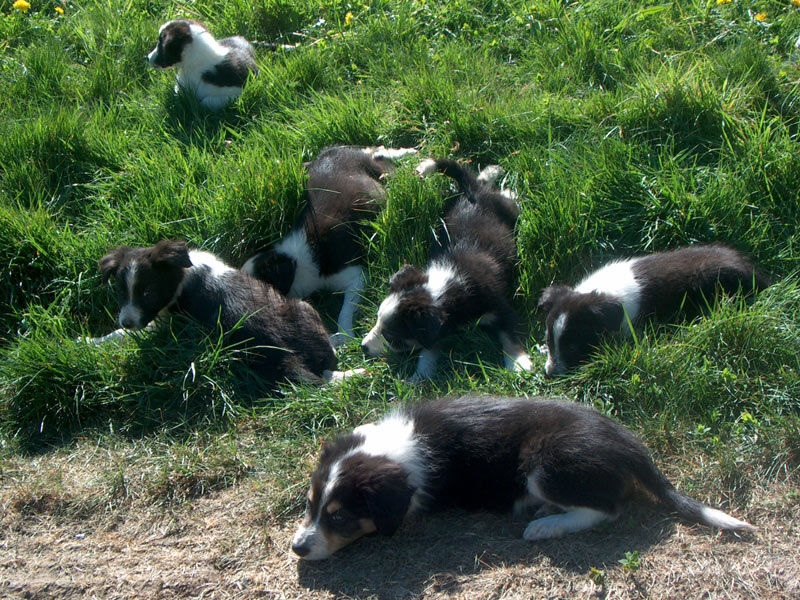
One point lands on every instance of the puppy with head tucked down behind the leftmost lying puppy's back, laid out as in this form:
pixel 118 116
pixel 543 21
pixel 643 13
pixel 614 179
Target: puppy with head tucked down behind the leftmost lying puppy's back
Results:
pixel 325 248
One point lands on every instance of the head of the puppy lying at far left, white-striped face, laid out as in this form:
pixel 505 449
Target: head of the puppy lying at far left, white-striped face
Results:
pixel 147 279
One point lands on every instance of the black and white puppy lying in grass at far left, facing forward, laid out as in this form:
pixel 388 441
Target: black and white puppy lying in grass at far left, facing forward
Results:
pixel 284 338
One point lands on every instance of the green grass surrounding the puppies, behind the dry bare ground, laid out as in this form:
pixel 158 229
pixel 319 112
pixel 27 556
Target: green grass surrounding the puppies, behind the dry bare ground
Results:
pixel 624 127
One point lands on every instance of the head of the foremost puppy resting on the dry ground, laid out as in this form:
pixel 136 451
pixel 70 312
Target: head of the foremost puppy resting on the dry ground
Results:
pixel 352 494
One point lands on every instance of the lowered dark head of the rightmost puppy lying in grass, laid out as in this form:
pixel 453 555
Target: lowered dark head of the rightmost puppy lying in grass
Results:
pixel 575 324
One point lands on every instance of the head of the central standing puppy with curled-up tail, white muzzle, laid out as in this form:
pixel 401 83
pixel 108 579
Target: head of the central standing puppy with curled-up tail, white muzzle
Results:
pixel 408 319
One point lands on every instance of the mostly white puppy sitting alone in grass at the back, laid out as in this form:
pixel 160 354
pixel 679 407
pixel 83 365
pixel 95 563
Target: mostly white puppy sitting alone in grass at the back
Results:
pixel 214 70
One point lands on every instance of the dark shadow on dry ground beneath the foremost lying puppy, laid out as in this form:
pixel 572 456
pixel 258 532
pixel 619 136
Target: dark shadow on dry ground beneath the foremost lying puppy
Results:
pixel 435 553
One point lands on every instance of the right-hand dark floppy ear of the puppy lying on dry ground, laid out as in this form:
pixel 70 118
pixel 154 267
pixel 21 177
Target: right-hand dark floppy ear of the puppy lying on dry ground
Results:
pixel 388 497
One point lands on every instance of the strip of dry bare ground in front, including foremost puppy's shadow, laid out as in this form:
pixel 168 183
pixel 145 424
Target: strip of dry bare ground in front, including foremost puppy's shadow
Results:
pixel 223 546
